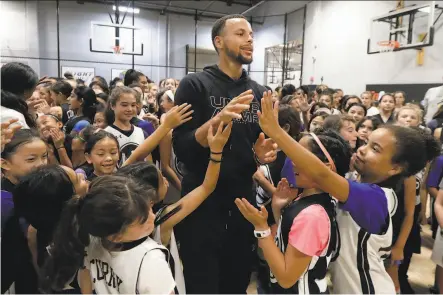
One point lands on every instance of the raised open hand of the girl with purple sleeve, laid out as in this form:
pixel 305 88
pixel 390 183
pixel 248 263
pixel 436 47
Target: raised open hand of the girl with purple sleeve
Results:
pixel 269 114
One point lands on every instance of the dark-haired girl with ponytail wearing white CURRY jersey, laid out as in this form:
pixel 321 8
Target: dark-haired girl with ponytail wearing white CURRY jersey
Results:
pixel 107 233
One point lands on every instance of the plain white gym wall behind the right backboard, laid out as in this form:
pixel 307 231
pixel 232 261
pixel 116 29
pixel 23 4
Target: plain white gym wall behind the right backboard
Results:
pixel 336 36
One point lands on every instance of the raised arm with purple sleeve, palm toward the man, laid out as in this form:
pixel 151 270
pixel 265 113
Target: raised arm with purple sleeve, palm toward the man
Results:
pixel 366 203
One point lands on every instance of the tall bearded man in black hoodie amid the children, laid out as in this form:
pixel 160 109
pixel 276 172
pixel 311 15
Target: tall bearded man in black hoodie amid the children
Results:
pixel 216 244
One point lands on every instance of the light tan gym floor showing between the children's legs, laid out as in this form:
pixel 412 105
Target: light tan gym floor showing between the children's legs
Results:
pixel 421 272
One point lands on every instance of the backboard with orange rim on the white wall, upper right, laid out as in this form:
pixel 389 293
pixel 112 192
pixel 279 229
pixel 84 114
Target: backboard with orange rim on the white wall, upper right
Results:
pixel 410 27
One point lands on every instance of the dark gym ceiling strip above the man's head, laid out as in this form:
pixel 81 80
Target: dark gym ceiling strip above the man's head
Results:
pixel 218 8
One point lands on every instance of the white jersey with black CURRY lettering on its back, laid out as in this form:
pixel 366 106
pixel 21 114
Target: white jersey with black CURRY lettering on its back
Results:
pixel 142 269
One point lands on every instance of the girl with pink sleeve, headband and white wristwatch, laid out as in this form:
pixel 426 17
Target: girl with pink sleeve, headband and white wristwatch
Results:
pixel 307 233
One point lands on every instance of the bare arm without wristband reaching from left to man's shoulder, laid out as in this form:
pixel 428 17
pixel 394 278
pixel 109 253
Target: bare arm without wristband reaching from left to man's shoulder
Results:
pixel 175 117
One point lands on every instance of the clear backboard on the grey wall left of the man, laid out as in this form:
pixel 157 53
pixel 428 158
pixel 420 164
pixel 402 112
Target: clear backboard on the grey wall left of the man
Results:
pixel 106 36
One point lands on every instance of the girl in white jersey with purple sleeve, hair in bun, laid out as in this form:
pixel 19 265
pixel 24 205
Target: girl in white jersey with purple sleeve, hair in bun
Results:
pixel 364 219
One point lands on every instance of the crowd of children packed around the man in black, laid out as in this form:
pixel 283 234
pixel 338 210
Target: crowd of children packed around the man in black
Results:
pixel 93 185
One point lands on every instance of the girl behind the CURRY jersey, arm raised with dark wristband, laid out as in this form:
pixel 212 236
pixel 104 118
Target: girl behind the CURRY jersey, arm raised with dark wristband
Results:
pixel 167 216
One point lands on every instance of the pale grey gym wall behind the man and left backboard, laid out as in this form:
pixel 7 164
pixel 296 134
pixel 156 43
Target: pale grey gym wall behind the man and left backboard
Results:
pixel 28 33
